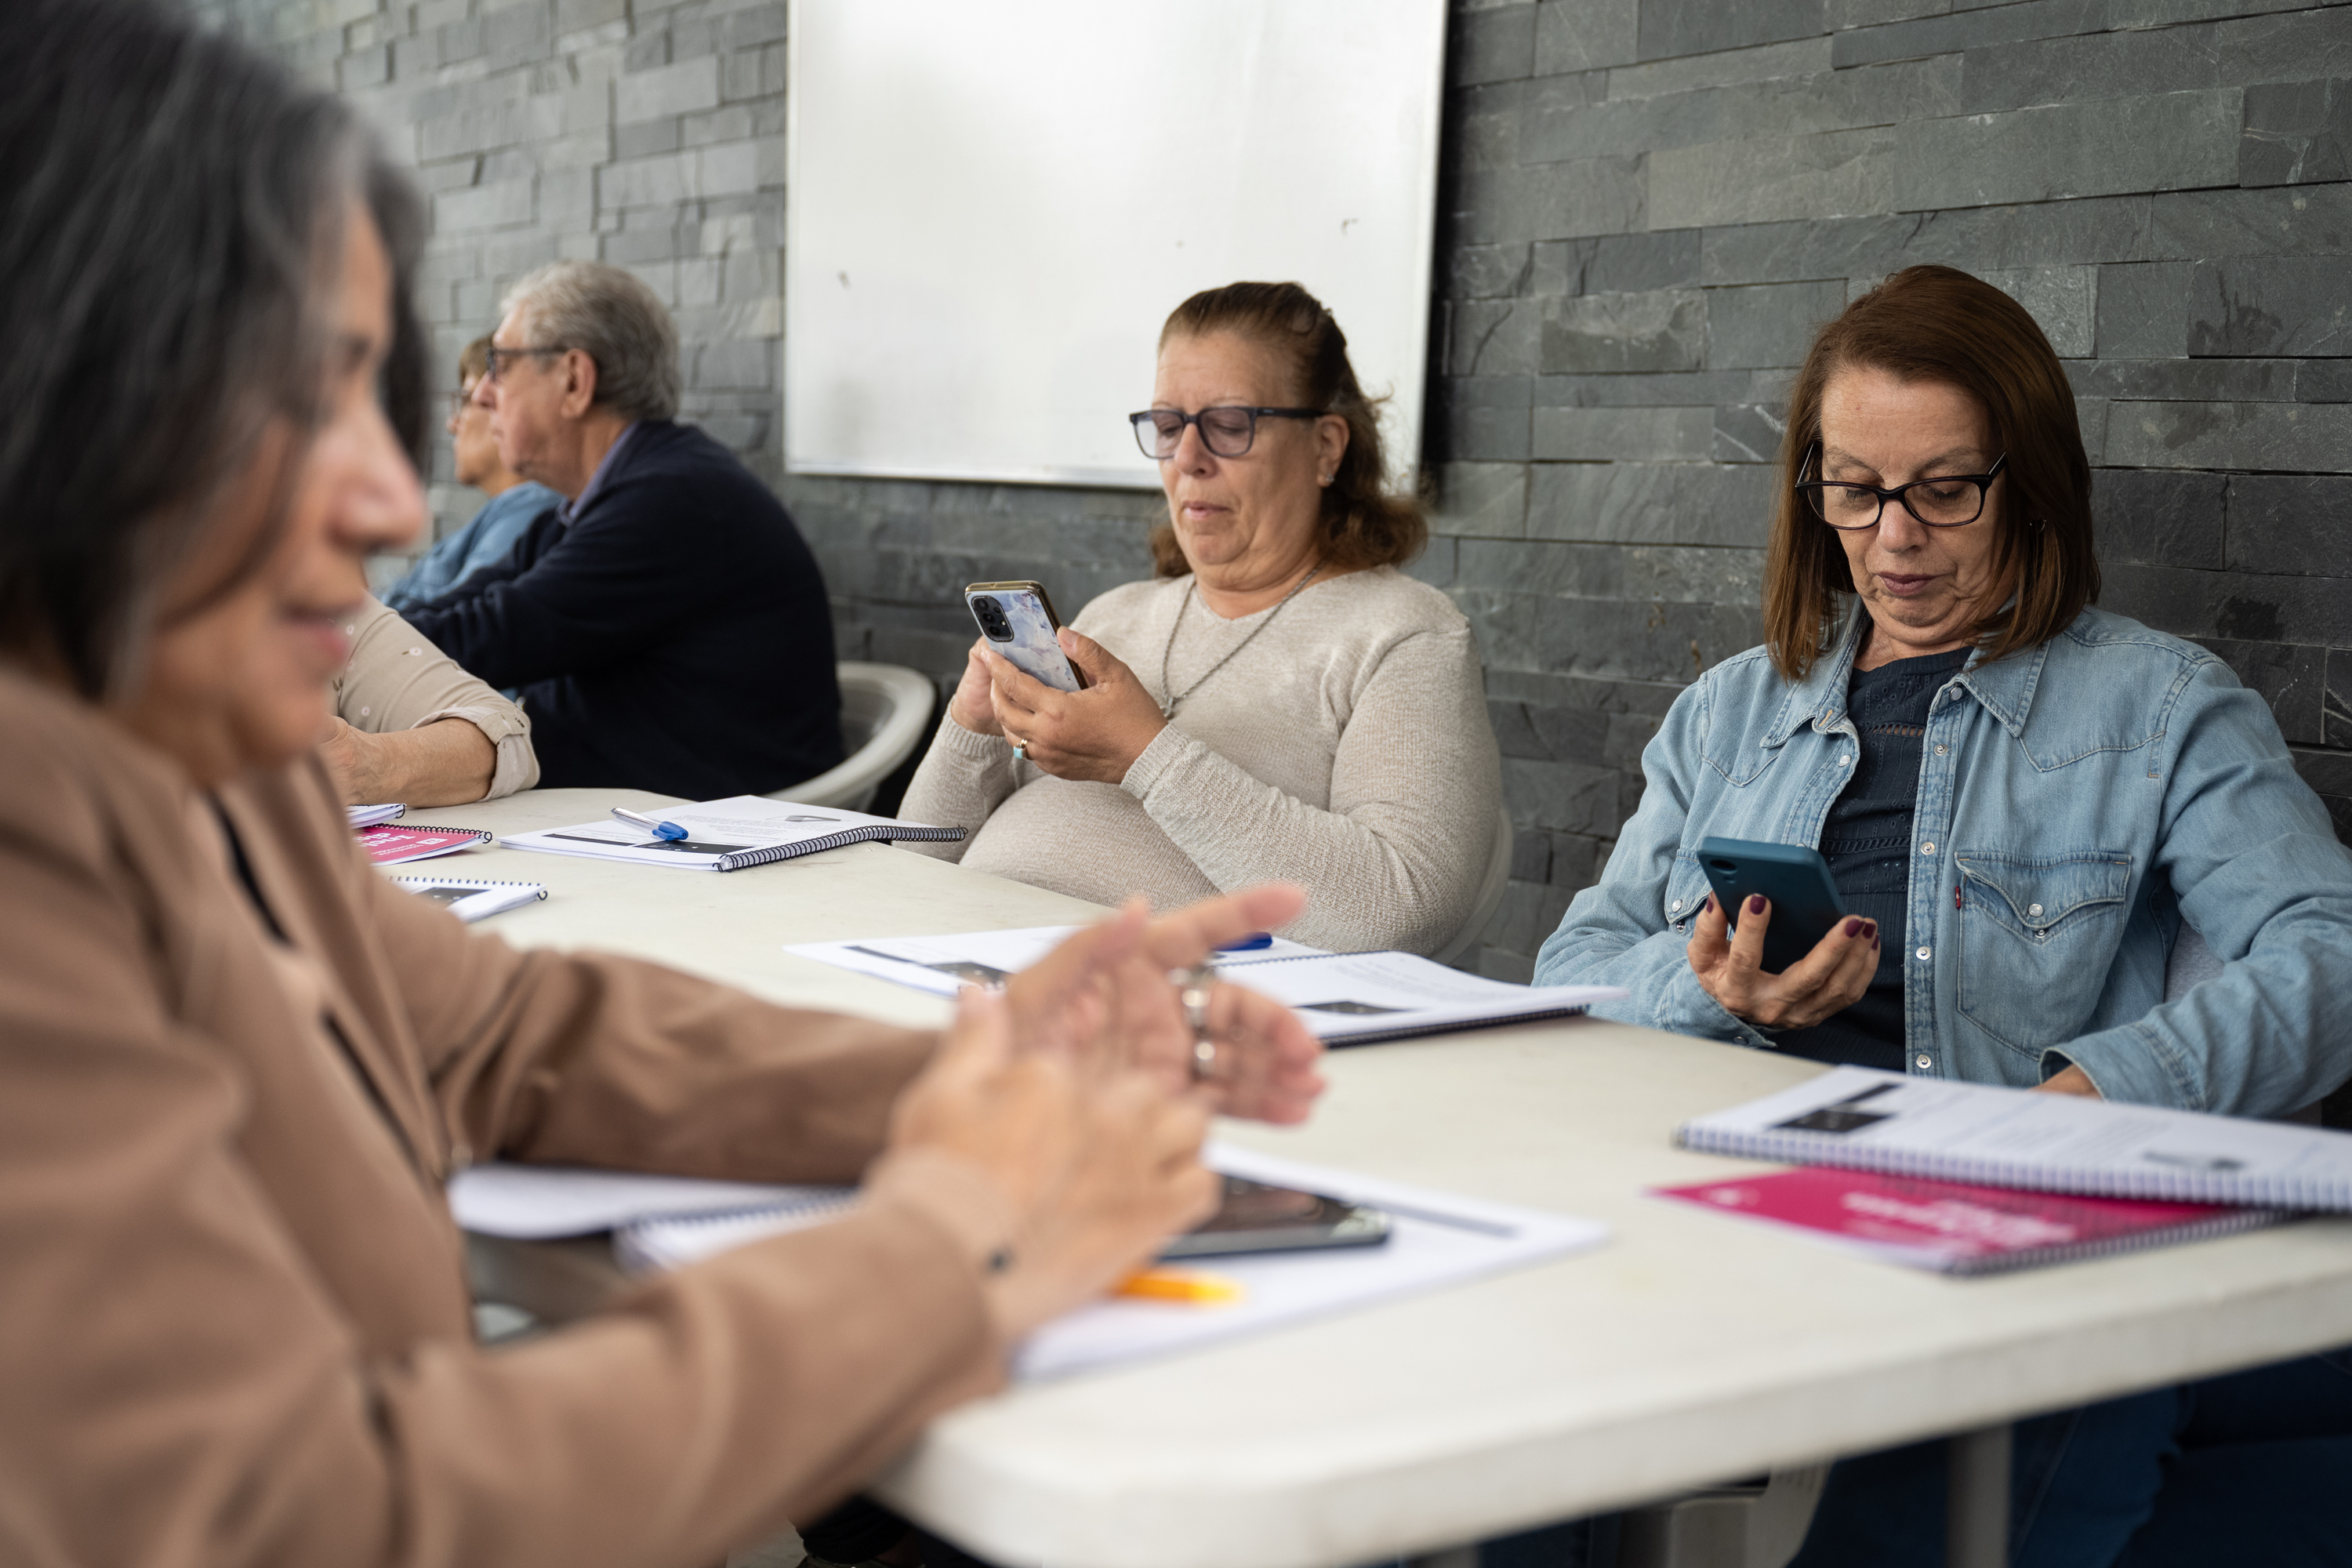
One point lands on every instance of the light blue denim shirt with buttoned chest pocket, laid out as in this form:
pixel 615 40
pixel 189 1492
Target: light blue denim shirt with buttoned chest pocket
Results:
pixel 2076 805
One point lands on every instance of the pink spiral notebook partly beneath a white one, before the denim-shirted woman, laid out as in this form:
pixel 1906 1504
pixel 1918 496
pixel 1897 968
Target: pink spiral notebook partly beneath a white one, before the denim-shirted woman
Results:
pixel 1958 1228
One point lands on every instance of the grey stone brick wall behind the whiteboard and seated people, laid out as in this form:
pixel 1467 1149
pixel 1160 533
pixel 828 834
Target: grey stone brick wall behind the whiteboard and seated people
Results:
pixel 1648 206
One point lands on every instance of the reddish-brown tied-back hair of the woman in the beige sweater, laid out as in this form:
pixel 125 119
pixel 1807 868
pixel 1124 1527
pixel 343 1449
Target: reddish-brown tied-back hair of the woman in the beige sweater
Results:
pixel 1363 523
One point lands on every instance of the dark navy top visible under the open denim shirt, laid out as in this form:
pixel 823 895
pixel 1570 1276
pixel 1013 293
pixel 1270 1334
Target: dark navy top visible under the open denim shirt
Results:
pixel 1869 850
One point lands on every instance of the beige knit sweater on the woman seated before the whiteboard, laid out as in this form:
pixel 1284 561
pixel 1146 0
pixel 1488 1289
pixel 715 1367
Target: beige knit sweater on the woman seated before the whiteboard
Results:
pixel 1347 751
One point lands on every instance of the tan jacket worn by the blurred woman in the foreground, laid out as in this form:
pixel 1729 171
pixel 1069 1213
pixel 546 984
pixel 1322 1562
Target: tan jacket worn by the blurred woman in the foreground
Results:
pixel 236 1327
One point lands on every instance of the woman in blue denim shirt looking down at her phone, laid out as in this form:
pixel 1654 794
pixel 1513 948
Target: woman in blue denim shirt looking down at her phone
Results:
pixel 2024 803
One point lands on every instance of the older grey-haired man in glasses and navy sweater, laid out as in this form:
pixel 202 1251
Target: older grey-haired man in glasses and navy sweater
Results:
pixel 667 626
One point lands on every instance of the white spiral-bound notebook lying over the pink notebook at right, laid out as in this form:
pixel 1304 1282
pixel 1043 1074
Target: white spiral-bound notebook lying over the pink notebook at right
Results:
pixel 1986 1134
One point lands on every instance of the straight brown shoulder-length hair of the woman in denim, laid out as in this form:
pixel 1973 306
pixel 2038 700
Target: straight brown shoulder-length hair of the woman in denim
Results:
pixel 1937 323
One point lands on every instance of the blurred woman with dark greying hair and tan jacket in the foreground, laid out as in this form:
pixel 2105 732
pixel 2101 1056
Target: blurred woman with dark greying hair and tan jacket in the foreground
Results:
pixel 239 1066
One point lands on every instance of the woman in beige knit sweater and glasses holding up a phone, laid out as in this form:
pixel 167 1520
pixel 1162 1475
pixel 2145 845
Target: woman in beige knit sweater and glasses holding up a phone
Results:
pixel 1281 702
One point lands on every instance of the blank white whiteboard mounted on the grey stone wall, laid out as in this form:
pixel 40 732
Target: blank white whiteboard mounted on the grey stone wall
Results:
pixel 996 203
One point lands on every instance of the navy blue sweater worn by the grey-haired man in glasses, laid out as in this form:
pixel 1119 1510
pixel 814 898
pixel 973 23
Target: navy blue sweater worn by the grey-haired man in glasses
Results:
pixel 671 638
